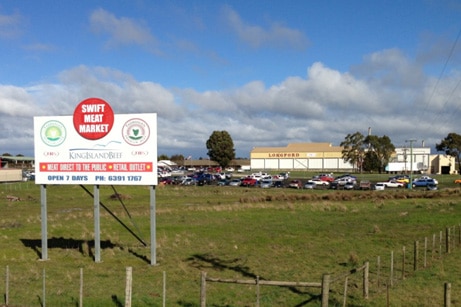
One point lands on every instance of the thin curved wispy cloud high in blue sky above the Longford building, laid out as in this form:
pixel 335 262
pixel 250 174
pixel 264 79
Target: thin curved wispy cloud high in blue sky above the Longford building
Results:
pixel 276 35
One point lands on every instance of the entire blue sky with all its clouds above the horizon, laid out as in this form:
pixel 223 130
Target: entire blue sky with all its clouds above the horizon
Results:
pixel 269 73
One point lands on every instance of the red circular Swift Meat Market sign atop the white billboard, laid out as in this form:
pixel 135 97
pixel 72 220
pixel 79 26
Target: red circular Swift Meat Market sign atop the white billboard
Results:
pixel 93 118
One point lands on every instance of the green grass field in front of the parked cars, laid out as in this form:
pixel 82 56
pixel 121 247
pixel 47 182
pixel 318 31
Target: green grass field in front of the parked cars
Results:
pixel 228 232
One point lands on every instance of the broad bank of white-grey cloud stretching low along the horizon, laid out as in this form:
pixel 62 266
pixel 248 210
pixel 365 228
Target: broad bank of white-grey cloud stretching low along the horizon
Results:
pixel 323 106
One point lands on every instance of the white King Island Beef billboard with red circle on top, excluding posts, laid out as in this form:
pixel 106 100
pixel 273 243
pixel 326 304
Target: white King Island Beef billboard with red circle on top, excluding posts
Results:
pixel 96 146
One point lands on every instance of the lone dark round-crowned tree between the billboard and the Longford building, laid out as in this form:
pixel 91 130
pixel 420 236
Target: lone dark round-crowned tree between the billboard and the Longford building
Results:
pixel 221 148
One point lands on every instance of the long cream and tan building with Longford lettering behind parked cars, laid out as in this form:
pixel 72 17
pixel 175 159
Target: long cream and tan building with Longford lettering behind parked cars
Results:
pixel 300 156
